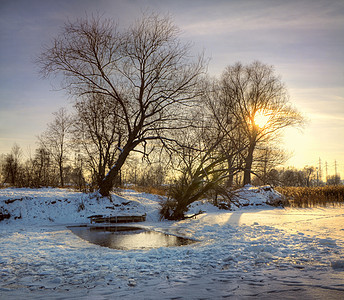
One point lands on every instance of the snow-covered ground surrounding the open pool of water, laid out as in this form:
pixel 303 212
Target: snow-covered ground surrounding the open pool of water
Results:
pixel 255 252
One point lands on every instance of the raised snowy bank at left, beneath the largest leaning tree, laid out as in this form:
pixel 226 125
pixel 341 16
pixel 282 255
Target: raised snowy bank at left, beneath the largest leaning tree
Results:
pixel 63 206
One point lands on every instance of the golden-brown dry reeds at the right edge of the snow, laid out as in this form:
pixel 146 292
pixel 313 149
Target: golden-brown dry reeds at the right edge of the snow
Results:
pixel 313 196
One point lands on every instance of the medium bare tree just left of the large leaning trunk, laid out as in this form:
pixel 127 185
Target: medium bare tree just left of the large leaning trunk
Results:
pixel 98 132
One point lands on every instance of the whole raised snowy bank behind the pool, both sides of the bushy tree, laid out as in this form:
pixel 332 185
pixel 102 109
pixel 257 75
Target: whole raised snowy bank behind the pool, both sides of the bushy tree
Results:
pixel 63 206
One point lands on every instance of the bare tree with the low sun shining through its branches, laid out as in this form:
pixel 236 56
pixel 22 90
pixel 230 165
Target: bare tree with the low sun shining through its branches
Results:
pixel 257 99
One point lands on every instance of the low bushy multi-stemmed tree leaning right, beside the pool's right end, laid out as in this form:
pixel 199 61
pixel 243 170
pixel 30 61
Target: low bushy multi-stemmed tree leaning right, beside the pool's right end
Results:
pixel 202 159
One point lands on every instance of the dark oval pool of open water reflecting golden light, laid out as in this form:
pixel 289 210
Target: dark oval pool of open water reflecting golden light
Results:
pixel 127 237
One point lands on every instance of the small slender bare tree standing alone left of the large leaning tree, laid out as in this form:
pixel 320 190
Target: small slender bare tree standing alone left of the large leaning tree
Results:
pixel 54 140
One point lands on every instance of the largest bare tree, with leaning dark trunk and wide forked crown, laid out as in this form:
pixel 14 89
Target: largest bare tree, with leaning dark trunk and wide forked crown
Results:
pixel 146 70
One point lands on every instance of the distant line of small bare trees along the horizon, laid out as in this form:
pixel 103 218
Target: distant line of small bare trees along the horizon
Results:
pixel 41 170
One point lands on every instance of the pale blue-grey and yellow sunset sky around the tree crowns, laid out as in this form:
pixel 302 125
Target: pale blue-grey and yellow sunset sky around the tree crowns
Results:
pixel 303 40
